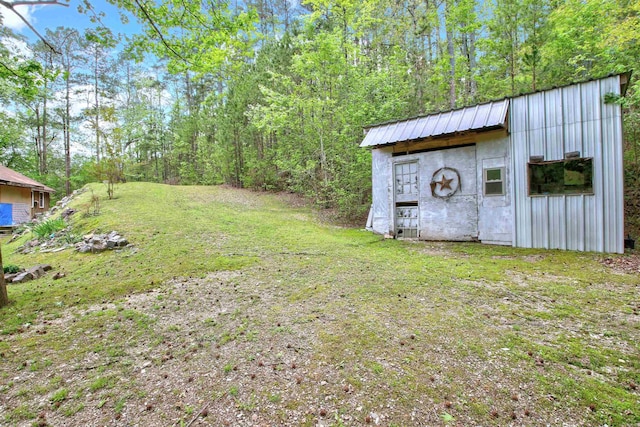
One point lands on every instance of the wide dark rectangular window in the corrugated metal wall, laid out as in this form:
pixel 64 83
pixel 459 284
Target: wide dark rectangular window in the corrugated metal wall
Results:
pixel 570 176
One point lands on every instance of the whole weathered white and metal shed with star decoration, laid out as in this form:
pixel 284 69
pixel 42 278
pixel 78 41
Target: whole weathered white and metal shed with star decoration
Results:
pixel 539 170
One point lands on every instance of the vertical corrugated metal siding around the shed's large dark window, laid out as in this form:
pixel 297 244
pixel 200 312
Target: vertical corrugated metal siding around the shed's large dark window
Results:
pixel 551 123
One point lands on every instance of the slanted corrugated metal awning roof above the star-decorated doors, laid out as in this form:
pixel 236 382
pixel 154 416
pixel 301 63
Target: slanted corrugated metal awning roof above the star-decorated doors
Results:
pixel 480 117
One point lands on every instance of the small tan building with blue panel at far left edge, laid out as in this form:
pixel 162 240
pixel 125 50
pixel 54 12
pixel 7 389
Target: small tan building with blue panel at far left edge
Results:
pixel 21 198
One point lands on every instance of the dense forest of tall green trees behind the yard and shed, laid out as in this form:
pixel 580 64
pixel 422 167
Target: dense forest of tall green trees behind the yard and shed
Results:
pixel 274 94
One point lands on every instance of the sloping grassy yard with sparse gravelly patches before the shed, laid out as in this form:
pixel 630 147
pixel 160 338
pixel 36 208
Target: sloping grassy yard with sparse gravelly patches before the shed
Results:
pixel 236 308
